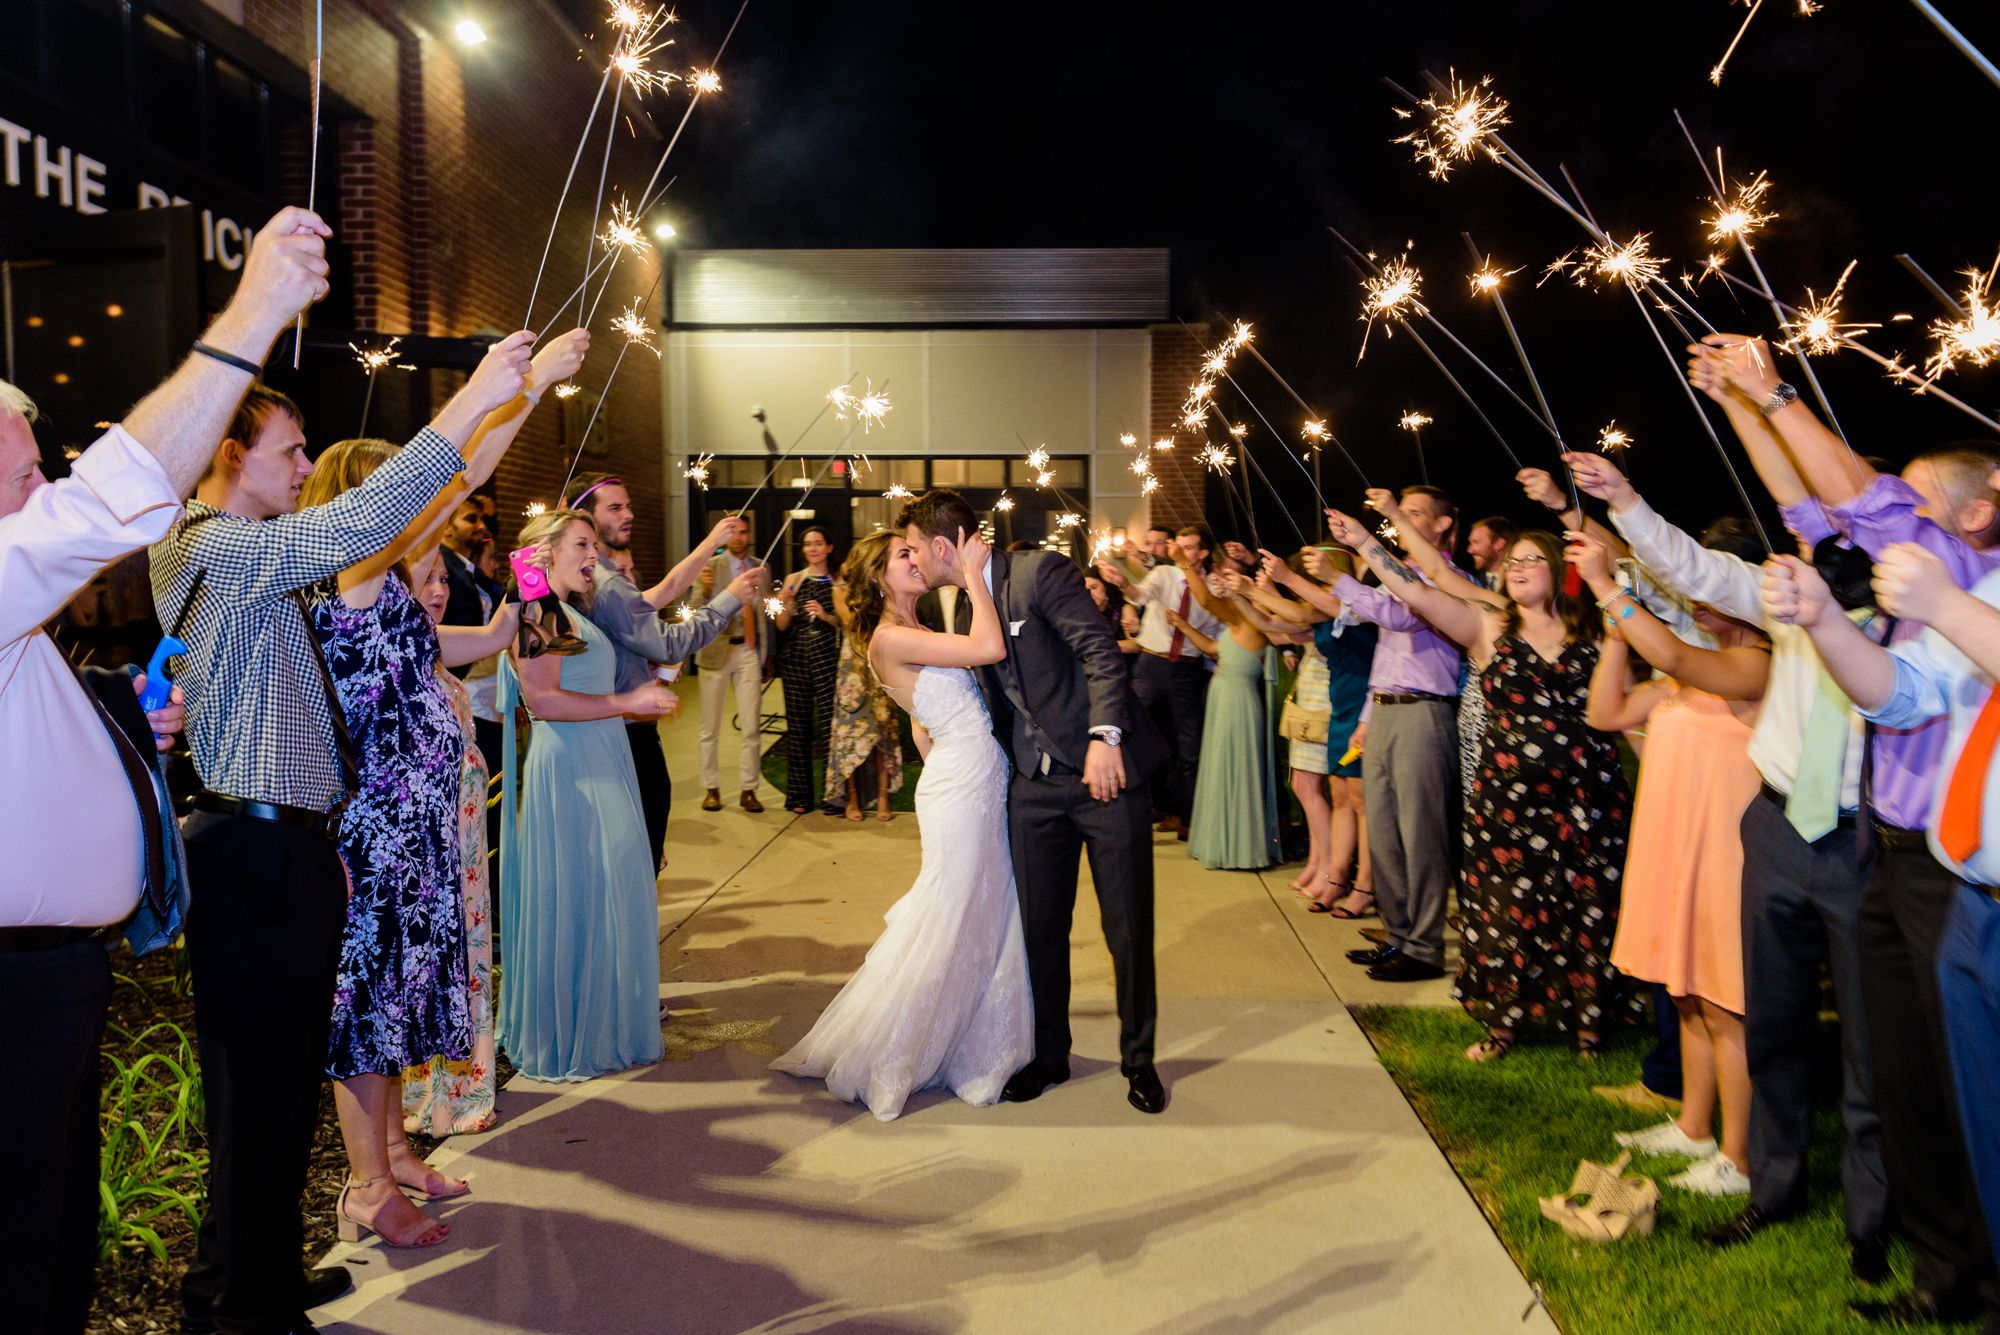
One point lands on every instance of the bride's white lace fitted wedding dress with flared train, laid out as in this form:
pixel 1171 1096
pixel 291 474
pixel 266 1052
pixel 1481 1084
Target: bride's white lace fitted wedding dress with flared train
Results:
pixel 943 998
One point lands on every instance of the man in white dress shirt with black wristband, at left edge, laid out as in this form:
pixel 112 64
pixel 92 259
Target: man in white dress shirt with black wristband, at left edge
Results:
pixel 71 808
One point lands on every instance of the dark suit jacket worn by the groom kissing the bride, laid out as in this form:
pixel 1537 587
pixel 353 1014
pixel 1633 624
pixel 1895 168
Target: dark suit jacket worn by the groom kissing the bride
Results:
pixel 1063 672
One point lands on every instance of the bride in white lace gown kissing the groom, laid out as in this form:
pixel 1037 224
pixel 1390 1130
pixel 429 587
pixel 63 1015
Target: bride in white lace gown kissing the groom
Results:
pixel 943 998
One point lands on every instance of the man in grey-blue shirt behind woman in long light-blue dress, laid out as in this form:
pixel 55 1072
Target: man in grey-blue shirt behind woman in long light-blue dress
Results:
pixel 643 641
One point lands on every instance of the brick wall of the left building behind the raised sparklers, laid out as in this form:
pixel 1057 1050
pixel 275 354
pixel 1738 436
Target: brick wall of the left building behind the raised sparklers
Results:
pixel 447 193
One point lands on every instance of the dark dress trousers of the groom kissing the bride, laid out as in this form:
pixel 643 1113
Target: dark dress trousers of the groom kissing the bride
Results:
pixel 1051 822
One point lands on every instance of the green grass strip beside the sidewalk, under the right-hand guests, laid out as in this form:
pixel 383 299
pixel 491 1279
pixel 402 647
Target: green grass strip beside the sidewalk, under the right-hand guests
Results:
pixel 1515 1132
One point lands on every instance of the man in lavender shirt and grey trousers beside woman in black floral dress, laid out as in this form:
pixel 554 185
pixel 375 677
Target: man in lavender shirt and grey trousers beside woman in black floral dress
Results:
pixel 1409 768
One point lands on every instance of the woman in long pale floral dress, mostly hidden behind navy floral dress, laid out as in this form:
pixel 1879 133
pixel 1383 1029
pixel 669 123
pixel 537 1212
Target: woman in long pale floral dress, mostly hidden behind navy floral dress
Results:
pixel 443 1096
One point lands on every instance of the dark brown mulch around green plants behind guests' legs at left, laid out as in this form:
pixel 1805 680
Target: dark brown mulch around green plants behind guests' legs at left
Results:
pixel 139 1292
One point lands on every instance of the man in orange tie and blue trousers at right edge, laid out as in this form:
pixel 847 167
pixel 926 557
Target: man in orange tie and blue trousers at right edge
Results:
pixel 1947 672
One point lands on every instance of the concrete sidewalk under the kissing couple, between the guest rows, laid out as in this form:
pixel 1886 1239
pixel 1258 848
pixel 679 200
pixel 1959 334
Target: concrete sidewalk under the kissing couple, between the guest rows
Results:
pixel 1287 1188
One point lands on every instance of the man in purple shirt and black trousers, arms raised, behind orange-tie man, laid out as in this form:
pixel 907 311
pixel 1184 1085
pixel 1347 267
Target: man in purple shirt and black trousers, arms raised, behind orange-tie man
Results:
pixel 1945 503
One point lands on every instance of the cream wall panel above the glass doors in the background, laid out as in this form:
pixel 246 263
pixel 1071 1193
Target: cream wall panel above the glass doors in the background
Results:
pixel 953 391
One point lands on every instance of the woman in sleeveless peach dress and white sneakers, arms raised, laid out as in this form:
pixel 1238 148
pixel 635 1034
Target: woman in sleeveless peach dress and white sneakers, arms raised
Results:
pixel 1681 916
